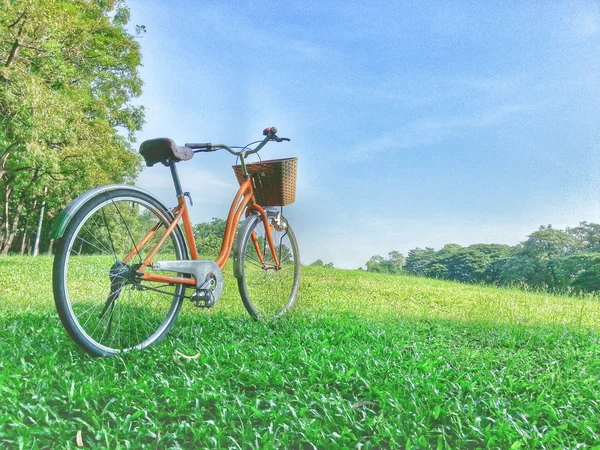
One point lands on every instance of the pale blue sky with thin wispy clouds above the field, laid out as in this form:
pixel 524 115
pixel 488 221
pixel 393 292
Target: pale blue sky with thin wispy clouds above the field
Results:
pixel 416 124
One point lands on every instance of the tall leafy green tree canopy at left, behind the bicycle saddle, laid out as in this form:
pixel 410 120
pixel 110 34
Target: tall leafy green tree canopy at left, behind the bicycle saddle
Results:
pixel 68 74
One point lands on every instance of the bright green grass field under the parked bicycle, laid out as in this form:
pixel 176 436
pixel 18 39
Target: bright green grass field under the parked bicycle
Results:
pixel 363 361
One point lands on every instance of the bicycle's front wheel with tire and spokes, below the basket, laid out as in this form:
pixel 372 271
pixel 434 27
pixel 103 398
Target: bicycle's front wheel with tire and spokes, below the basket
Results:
pixel 268 291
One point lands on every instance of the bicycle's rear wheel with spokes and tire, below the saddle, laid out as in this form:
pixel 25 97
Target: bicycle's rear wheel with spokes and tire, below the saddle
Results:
pixel 99 296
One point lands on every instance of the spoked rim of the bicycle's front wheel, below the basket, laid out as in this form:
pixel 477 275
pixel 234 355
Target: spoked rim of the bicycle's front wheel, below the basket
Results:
pixel 271 291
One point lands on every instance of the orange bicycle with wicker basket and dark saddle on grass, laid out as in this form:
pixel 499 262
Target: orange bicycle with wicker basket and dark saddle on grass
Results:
pixel 114 240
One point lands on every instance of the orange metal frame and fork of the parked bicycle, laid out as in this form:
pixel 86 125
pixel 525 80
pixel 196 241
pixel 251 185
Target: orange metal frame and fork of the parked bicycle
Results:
pixel 243 201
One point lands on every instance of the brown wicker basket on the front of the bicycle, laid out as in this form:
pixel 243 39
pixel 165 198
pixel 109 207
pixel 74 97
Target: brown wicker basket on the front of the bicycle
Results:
pixel 274 180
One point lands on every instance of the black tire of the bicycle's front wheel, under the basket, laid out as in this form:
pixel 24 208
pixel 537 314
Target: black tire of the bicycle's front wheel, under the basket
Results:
pixel 245 232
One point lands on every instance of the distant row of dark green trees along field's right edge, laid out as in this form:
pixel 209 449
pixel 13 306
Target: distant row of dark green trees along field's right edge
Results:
pixel 550 258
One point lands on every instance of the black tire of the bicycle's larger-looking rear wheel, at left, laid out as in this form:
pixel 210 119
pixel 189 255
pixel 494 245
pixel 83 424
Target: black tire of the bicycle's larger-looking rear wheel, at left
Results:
pixel 58 273
